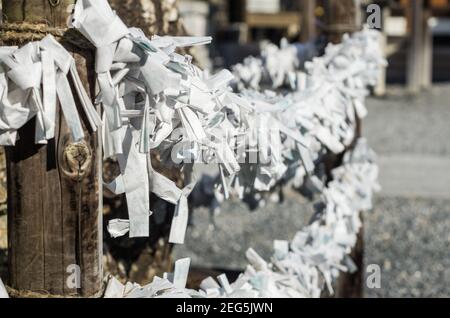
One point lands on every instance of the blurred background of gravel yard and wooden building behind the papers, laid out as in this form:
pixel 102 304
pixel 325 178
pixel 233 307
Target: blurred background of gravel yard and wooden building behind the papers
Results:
pixel 408 232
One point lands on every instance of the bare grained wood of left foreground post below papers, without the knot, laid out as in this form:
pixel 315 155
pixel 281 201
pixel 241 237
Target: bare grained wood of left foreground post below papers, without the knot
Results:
pixel 53 219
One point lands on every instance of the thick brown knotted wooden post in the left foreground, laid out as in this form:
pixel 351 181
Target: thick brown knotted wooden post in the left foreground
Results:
pixel 54 211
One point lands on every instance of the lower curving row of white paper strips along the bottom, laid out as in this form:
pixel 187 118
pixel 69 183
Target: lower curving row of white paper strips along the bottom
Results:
pixel 299 268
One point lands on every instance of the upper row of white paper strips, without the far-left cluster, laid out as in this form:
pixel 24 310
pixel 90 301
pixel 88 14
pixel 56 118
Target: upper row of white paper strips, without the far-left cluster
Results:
pixel 155 99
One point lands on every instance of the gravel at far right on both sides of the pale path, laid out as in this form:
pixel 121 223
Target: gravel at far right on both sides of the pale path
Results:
pixel 407 236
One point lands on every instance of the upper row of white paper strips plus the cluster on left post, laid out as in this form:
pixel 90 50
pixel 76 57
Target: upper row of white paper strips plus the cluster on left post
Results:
pixel 149 92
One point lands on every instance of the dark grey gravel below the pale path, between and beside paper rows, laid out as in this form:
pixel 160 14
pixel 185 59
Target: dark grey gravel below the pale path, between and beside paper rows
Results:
pixel 408 238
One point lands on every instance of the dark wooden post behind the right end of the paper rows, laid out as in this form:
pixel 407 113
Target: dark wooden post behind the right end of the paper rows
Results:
pixel 344 16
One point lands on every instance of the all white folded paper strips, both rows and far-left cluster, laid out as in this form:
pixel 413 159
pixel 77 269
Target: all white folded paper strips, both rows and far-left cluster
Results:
pixel 154 99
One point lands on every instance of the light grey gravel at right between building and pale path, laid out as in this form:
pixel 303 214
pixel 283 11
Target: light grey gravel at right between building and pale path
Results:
pixel 400 123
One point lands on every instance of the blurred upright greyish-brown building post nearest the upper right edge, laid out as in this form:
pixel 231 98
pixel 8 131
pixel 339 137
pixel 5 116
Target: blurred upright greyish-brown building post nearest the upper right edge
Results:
pixel 416 46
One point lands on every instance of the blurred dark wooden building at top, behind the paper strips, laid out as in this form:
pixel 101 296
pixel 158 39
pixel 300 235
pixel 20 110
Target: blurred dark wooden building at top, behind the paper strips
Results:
pixel 240 26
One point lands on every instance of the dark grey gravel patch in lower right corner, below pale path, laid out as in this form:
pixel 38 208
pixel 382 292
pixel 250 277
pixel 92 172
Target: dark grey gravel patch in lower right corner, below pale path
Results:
pixel 410 240
